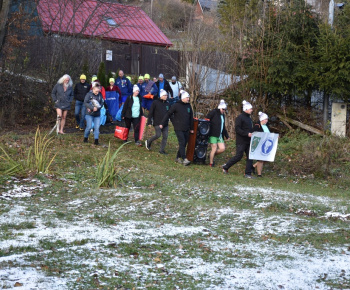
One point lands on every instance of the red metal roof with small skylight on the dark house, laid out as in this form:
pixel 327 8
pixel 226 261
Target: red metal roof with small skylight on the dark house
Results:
pixel 89 18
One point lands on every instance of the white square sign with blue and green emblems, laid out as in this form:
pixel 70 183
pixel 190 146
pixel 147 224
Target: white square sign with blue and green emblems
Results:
pixel 263 146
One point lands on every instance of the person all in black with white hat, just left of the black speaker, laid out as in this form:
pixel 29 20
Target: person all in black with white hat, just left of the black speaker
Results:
pixel 183 124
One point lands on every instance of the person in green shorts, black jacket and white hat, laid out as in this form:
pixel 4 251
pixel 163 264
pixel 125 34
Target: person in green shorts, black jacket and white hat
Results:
pixel 217 131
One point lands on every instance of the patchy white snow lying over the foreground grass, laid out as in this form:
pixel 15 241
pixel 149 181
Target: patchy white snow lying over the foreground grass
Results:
pixel 252 264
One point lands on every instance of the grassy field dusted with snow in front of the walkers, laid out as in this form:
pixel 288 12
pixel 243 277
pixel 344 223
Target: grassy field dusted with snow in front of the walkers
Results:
pixel 168 226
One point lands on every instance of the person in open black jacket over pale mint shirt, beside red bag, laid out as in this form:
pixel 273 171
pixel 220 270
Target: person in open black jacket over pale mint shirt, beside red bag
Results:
pixel 132 113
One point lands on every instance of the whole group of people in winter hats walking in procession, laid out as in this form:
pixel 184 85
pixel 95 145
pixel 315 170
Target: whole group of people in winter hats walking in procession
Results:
pixel 164 101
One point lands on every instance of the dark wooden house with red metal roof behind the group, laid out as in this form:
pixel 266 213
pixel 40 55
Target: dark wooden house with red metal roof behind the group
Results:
pixel 71 34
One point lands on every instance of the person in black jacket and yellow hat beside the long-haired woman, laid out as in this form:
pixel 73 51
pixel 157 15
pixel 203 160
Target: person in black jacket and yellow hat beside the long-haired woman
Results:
pixel 80 91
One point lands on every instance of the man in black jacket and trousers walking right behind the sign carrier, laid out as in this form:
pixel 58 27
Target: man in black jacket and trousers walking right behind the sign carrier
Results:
pixel 244 129
